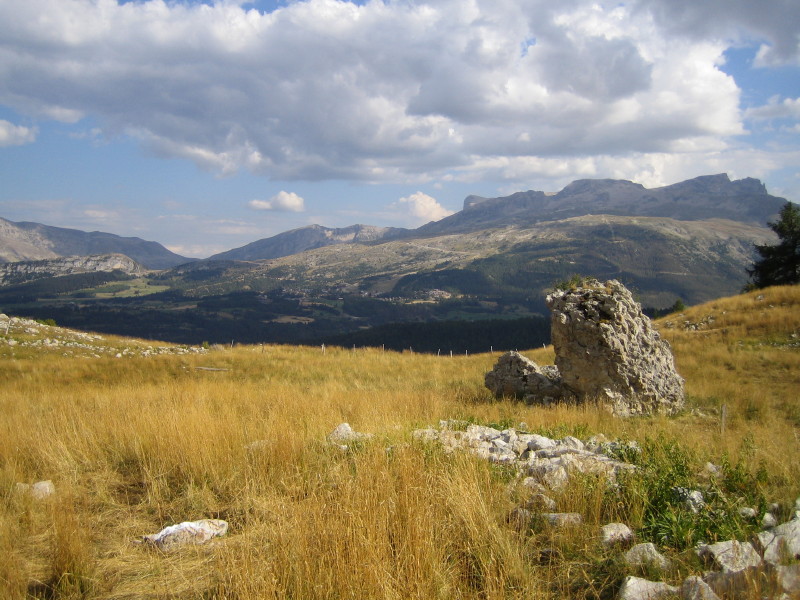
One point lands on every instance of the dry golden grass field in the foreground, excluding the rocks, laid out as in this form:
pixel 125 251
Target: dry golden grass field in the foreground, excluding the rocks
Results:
pixel 134 444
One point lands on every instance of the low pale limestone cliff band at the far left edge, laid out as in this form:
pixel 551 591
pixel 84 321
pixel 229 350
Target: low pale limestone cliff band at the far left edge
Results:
pixel 18 272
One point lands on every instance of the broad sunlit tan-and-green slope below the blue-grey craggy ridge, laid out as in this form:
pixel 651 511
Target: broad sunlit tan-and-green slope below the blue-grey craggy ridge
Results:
pixel 662 258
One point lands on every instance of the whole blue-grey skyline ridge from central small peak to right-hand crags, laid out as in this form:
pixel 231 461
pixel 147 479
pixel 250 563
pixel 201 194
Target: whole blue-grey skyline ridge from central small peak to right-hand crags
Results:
pixel 706 197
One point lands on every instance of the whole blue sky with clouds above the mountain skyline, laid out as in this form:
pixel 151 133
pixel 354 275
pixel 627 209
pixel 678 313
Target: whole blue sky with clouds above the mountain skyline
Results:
pixel 208 125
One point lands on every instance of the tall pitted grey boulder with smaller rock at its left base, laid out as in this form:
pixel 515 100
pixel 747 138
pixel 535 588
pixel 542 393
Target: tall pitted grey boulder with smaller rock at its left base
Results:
pixel 606 349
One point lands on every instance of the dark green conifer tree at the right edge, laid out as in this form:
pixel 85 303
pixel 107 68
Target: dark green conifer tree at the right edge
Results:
pixel 780 264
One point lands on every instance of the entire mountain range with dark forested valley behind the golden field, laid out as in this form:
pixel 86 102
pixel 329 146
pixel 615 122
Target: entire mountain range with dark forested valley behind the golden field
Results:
pixel 494 259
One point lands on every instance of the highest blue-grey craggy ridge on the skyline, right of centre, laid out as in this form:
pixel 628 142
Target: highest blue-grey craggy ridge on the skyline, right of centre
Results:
pixel 707 197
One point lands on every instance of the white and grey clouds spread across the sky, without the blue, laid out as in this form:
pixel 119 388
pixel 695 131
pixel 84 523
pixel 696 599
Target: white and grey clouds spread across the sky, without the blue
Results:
pixel 404 92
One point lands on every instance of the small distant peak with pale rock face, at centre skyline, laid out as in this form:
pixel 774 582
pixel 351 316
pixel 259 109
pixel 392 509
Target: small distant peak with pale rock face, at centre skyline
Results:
pixel 305 238
